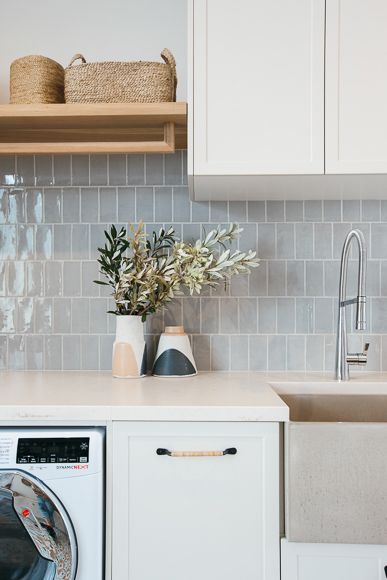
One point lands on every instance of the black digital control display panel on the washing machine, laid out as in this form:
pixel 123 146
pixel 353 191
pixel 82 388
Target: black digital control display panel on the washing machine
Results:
pixel 60 450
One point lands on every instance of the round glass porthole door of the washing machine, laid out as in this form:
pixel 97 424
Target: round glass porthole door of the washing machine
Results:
pixel 37 538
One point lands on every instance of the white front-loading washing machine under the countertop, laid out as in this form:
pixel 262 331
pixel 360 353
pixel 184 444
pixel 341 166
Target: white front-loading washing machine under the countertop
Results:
pixel 51 504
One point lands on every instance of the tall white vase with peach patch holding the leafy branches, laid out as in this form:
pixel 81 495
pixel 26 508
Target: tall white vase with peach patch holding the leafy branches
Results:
pixel 129 348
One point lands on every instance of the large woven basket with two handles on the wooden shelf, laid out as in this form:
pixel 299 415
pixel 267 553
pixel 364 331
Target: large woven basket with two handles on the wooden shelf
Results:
pixel 121 82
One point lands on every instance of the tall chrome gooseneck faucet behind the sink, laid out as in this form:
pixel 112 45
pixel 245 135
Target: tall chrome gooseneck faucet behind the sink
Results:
pixel 343 358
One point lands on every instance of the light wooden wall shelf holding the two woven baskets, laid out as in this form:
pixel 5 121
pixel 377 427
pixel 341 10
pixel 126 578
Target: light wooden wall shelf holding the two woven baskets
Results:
pixel 93 128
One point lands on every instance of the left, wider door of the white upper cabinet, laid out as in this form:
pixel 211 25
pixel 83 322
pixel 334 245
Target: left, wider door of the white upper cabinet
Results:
pixel 256 87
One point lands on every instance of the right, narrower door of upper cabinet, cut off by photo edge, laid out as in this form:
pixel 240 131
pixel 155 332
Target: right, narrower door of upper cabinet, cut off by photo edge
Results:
pixel 356 86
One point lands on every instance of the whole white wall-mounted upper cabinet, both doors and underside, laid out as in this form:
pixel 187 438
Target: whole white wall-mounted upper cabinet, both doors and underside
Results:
pixel 287 99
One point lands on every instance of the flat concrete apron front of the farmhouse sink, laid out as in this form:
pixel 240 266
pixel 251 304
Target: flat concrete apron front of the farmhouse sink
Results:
pixel 336 482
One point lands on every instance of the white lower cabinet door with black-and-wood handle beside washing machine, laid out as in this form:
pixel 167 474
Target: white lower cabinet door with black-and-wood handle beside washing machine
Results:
pixel 195 518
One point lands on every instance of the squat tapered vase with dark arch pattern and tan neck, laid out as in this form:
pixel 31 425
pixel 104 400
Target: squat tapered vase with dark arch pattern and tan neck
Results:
pixel 174 356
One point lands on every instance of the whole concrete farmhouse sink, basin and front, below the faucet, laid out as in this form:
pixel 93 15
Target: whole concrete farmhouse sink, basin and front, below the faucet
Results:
pixel 335 449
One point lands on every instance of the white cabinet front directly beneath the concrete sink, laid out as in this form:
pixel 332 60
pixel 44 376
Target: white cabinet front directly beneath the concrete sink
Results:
pixel 332 561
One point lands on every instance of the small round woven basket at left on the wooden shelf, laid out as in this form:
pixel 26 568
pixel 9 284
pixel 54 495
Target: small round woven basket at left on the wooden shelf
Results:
pixel 36 79
